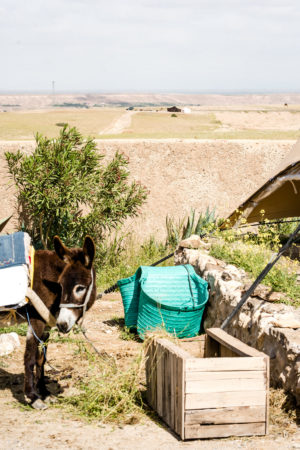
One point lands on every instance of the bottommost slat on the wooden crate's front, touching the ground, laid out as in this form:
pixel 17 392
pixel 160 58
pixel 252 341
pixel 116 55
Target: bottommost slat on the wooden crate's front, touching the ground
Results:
pixel 214 431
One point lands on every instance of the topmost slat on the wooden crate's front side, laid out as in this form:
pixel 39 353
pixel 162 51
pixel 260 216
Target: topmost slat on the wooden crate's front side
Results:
pixel 226 364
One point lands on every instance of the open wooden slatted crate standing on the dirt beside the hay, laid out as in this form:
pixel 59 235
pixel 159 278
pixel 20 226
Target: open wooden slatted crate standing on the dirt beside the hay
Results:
pixel 208 386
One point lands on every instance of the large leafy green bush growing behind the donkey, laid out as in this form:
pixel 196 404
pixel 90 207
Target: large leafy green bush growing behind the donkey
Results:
pixel 62 189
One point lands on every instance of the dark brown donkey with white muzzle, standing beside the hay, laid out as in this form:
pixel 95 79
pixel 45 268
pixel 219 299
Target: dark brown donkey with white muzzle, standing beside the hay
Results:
pixel 64 279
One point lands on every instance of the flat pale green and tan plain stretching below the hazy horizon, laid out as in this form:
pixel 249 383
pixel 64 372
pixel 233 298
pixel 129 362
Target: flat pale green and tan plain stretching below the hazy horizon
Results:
pixel 101 124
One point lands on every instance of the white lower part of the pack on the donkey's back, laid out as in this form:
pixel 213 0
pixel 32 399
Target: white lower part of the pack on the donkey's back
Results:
pixel 13 286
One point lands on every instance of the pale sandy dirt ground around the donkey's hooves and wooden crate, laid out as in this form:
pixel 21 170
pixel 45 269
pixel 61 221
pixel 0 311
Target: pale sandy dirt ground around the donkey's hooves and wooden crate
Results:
pixel 54 428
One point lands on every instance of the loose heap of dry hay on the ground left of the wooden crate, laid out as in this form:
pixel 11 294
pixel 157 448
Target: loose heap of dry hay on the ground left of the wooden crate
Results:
pixel 110 393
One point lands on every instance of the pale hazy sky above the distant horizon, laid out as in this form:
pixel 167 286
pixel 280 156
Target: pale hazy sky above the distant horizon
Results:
pixel 150 45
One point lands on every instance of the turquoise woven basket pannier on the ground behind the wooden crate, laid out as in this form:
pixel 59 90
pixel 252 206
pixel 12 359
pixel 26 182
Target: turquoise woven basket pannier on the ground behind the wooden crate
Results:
pixel 172 298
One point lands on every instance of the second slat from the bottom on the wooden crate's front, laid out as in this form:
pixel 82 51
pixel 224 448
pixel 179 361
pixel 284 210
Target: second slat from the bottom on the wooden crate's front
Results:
pixel 238 414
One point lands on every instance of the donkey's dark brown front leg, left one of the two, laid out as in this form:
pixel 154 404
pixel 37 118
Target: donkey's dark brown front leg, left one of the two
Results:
pixel 30 360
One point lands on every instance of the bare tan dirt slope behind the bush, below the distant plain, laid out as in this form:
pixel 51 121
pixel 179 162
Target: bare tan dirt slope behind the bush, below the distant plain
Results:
pixel 180 175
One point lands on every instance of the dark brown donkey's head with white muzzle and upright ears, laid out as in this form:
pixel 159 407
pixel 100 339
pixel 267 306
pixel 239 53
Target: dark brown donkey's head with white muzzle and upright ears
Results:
pixel 77 281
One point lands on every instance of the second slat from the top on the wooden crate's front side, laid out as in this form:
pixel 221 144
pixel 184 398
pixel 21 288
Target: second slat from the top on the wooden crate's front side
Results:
pixel 230 385
